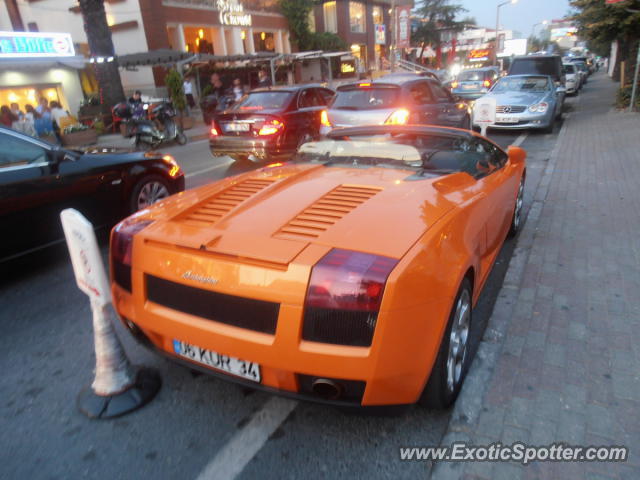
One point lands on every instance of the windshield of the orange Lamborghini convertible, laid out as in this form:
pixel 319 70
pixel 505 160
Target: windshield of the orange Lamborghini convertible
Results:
pixel 430 154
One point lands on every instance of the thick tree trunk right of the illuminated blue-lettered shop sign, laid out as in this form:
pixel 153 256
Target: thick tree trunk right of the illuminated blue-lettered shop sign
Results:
pixel 101 46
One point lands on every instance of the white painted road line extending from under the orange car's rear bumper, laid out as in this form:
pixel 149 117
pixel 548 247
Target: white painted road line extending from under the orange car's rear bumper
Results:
pixel 243 446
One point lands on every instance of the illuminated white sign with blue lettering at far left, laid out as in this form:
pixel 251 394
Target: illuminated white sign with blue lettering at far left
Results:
pixel 35 44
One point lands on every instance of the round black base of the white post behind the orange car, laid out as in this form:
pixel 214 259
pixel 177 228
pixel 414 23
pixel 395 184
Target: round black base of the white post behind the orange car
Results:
pixel 145 387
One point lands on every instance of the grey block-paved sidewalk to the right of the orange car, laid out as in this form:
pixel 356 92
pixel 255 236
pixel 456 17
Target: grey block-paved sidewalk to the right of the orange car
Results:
pixel 560 360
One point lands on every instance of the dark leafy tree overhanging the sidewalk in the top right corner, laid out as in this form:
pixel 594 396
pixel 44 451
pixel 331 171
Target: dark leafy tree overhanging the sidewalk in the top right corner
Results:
pixel 600 24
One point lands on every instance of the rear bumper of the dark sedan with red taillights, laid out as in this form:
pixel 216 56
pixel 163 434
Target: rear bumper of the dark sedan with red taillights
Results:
pixel 260 149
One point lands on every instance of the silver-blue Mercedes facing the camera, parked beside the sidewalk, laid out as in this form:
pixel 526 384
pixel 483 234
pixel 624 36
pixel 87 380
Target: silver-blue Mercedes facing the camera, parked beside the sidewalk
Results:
pixel 525 101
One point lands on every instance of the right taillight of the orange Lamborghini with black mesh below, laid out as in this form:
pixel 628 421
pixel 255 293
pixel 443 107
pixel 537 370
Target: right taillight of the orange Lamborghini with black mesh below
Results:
pixel 344 297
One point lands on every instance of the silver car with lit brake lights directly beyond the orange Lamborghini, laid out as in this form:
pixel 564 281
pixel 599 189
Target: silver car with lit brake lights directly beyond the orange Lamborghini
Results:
pixel 395 100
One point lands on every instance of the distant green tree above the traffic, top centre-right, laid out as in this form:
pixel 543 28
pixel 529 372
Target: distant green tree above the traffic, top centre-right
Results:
pixel 435 16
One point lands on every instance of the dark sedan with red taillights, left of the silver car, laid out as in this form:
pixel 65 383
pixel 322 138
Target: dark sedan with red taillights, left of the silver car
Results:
pixel 269 124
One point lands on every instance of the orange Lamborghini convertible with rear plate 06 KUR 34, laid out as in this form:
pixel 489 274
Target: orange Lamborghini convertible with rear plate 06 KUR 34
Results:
pixel 347 275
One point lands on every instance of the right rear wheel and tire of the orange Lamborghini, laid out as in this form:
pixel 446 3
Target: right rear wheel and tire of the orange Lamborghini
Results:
pixel 451 365
